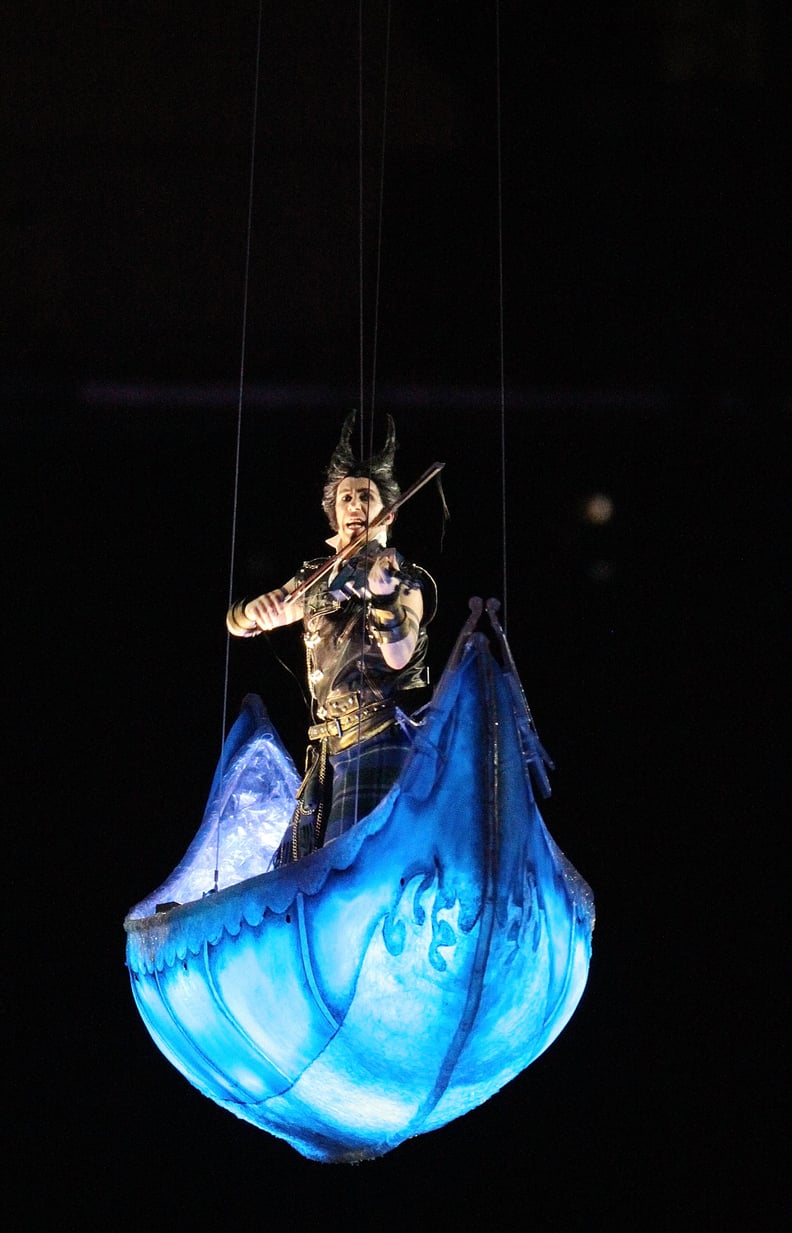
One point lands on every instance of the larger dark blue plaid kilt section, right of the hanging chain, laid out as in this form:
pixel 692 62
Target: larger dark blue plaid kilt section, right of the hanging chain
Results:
pixel 363 775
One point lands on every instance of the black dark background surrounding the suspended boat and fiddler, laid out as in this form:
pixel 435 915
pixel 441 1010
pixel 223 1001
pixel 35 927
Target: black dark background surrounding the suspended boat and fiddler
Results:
pixel 646 322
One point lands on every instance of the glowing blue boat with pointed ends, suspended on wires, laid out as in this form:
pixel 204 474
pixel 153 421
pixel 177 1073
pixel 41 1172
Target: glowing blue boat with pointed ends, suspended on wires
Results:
pixel 397 978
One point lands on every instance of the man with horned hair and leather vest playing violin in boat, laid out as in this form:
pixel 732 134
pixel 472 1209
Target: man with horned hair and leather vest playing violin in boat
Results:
pixel 365 631
